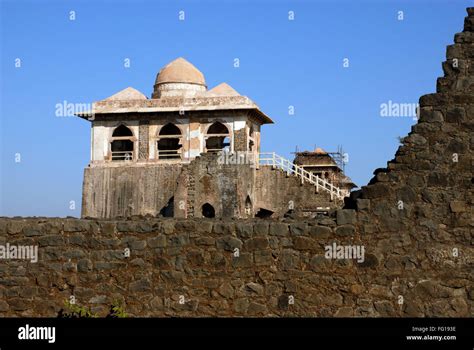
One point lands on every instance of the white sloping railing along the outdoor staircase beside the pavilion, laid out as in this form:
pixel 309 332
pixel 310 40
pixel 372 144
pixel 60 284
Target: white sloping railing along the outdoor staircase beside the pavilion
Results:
pixel 276 161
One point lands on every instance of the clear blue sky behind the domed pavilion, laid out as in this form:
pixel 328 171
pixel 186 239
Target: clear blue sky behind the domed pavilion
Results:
pixel 283 63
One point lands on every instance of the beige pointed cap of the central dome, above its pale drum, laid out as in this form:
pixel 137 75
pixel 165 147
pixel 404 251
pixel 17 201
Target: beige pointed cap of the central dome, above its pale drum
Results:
pixel 180 71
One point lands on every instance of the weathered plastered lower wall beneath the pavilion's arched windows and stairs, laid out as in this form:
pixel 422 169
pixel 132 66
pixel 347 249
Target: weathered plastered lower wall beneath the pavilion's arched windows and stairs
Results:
pixel 224 183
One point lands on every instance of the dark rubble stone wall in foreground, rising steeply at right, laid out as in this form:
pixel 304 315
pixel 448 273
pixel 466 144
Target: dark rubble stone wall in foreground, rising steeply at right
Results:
pixel 414 219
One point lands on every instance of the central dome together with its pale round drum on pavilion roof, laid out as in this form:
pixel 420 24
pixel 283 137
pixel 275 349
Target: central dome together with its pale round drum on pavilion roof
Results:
pixel 178 78
